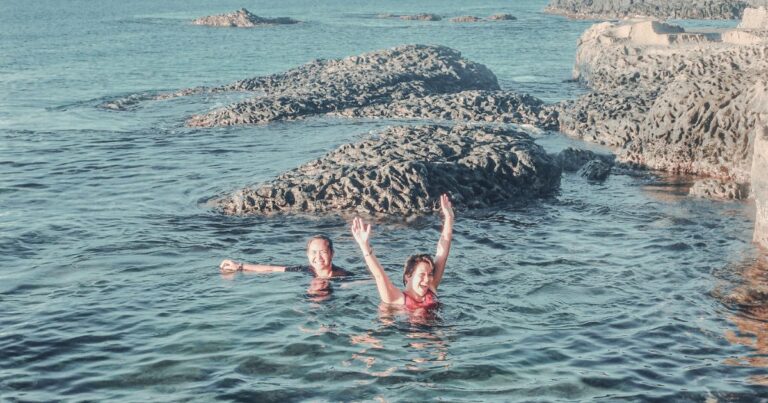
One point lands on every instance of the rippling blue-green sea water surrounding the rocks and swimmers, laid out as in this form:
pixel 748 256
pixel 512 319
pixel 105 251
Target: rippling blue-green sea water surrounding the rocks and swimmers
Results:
pixel 109 285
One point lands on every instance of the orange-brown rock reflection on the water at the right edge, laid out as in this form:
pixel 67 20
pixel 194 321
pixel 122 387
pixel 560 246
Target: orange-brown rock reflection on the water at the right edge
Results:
pixel 751 319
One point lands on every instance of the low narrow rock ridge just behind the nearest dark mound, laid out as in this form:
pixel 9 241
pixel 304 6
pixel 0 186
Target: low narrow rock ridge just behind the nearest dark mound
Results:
pixel 475 106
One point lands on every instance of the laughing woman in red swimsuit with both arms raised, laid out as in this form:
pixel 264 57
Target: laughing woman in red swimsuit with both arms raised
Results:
pixel 422 274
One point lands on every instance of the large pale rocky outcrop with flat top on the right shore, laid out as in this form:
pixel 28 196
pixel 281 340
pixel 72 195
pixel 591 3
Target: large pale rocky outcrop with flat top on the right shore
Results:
pixel 668 100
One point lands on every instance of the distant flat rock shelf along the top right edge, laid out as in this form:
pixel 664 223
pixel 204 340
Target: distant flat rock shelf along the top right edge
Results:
pixel 682 9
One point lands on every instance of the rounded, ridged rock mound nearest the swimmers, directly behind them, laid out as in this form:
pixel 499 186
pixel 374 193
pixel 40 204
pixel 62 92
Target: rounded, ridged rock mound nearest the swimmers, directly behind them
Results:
pixel 403 171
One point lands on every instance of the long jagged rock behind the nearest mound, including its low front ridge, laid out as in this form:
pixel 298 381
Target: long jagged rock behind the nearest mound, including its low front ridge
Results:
pixel 414 81
